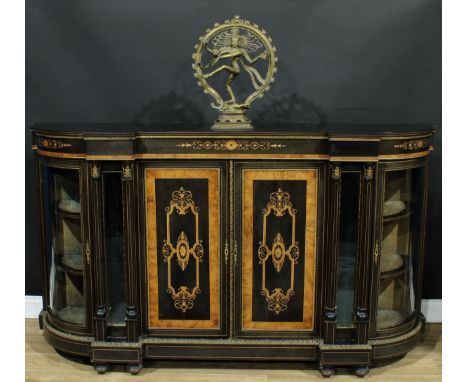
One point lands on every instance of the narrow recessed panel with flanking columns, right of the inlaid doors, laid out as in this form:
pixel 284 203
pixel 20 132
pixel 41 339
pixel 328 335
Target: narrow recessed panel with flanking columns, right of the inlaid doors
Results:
pixel 350 221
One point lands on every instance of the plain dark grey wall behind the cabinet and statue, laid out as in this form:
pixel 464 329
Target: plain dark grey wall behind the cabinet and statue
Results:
pixel 339 61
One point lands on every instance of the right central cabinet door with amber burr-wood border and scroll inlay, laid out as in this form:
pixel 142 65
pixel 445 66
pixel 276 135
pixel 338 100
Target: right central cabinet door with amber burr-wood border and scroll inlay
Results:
pixel 277 241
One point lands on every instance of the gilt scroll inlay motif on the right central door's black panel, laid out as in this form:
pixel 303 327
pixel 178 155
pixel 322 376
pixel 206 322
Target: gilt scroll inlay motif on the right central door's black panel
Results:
pixel 279 204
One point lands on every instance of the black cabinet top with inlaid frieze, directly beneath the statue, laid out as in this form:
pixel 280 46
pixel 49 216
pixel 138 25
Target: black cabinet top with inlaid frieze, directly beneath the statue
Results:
pixel 334 142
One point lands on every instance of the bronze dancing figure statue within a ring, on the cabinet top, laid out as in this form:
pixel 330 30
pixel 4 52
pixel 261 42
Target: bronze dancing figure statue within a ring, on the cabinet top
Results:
pixel 236 46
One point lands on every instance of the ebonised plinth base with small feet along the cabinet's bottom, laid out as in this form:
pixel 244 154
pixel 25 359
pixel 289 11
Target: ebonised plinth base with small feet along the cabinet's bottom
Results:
pixel 105 353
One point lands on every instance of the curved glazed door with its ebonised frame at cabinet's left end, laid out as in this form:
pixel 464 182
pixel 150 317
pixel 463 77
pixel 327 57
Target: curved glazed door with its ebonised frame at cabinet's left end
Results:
pixel 65 245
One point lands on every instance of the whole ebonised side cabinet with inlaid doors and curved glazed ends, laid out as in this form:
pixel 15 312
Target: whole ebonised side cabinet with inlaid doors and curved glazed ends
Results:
pixel 305 245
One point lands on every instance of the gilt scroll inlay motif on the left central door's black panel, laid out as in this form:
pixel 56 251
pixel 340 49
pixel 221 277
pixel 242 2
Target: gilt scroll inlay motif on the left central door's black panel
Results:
pixel 181 204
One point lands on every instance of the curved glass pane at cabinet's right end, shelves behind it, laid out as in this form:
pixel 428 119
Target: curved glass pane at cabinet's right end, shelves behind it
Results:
pixel 400 247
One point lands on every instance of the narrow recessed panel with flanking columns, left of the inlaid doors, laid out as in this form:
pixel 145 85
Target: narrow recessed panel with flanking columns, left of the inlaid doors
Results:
pixel 113 247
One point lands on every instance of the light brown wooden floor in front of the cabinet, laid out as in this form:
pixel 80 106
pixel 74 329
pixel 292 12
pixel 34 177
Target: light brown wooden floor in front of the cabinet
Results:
pixel 43 363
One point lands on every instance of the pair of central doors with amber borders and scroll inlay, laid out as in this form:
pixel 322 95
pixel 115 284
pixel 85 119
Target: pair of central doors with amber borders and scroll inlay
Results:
pixel 231 248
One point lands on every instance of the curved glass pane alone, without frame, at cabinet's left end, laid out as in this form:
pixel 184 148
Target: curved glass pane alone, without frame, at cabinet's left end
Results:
pixel 62 210
